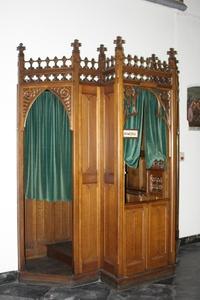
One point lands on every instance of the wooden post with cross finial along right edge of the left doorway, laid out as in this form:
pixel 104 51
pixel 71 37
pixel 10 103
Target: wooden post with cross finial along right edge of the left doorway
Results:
pixel 76 155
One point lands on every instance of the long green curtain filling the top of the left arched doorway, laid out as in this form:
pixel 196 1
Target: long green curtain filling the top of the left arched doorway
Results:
pixel 48 150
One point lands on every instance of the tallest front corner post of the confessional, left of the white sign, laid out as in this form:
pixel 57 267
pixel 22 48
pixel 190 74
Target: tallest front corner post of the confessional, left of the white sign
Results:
pixel 118 158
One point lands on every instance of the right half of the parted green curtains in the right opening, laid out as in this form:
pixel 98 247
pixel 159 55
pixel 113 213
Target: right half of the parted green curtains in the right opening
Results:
pixel 154 131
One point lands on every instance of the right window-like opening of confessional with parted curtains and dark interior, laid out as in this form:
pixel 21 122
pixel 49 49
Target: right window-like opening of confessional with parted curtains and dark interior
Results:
pixel 146 155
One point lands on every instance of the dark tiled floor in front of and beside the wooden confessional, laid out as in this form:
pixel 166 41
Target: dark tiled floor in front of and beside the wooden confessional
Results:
pixel 185 285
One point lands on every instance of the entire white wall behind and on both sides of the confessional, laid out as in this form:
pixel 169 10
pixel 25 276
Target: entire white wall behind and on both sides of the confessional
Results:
pixel 47 28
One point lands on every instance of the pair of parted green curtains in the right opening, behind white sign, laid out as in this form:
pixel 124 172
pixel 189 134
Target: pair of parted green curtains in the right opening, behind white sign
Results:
pixel 147 115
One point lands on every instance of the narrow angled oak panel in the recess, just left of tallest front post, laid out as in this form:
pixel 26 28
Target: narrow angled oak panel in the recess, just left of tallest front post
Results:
pixel 109 194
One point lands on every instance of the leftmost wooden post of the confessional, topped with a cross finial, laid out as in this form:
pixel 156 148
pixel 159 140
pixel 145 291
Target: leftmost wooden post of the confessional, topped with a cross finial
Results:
pixel 20 161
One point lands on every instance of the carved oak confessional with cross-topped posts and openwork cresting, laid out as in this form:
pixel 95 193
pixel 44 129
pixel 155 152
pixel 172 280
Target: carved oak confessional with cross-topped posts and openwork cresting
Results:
pixel 122 222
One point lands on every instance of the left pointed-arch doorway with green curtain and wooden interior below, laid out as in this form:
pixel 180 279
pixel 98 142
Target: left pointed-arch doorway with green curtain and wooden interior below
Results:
pixel 48 185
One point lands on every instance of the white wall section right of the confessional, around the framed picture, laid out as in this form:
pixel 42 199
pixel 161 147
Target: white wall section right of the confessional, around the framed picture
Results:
pixel 188 45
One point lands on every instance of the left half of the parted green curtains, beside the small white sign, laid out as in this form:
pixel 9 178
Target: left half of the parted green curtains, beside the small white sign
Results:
pixel 132 146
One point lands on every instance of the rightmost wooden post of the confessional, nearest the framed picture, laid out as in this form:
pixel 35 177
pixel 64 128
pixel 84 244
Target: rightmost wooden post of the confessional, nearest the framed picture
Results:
pixel 174 161
